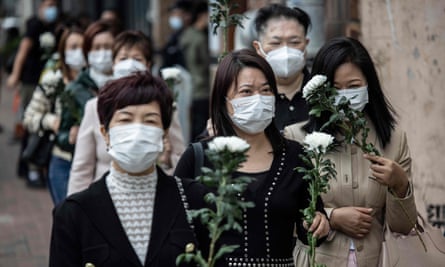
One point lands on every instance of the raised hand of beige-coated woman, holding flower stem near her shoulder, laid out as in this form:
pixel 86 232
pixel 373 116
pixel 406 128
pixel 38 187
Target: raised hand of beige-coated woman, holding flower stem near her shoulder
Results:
pixel 389 173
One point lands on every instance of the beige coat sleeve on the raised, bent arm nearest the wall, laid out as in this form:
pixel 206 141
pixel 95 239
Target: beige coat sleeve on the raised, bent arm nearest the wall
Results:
pixel 397 208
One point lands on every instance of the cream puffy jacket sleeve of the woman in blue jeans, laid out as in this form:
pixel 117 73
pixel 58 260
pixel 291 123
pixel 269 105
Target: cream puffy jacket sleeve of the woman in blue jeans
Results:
pixel 38 112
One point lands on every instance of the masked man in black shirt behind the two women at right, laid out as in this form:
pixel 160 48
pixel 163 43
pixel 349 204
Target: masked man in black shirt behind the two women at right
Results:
pixel 282 41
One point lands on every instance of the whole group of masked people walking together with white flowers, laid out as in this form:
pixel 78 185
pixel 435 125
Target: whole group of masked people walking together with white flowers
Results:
pixel 122 177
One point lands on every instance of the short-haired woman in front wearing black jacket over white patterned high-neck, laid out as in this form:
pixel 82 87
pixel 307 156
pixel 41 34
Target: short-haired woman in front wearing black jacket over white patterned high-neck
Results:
pixel 133 215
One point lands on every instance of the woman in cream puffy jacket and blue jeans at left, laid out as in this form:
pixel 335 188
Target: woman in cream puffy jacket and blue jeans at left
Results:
pixel 44 109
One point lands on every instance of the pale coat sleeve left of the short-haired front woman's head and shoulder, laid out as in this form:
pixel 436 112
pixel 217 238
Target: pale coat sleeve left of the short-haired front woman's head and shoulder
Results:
pixel 84 160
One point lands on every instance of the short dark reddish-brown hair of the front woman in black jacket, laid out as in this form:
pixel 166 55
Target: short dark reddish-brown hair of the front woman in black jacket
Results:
pixel 137 89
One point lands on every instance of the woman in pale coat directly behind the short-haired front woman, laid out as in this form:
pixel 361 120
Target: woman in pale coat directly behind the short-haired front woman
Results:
pixel 132 51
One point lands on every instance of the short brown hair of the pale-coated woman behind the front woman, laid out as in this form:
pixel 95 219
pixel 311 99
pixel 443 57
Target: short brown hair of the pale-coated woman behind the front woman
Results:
pixel 133 39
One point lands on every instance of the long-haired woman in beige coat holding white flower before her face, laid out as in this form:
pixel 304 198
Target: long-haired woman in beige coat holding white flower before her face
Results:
pixel 369 190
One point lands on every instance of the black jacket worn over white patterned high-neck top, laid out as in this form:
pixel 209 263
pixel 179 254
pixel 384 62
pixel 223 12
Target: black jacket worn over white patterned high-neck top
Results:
pixel 87 229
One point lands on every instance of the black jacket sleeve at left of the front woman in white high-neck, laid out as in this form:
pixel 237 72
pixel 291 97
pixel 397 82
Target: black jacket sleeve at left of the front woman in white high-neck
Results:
pixel 65 249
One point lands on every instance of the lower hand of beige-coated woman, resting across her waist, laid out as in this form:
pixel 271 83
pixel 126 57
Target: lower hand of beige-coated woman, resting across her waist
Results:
pixel 353 221
